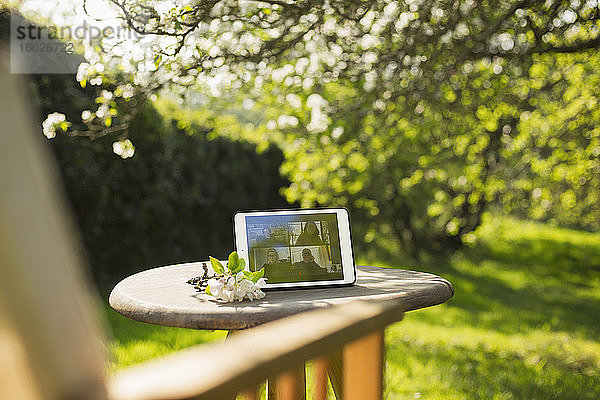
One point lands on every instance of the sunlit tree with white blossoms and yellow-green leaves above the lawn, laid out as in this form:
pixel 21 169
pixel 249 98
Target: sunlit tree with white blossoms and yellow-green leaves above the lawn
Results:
pixel 417 116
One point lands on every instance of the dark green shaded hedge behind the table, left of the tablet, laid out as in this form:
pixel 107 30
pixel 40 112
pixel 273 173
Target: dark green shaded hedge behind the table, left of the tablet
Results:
pixel 173 201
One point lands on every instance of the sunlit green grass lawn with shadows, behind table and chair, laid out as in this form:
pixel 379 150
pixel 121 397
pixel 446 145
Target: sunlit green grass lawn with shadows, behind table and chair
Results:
pixel 524 322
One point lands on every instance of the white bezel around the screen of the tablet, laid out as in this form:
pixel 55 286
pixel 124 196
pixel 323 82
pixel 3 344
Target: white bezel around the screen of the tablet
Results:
pixel 345 243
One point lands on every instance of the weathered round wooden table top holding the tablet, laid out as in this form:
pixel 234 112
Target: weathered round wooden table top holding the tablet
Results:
pixel 162 296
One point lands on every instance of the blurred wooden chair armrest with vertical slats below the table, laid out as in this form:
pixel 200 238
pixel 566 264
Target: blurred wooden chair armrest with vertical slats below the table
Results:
pixel 346 342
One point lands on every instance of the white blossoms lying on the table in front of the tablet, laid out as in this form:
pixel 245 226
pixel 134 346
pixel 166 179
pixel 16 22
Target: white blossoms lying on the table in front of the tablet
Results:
pixel 238 287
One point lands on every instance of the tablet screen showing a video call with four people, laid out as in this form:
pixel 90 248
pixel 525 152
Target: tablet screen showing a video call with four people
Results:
pixel 295 247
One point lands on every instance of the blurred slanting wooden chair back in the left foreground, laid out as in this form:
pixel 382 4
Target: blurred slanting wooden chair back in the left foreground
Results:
pixel 48 343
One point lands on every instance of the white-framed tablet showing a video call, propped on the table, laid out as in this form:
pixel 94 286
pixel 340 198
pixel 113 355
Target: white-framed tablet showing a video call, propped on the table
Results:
pixel 297 248
